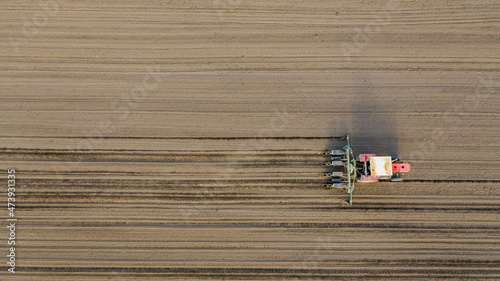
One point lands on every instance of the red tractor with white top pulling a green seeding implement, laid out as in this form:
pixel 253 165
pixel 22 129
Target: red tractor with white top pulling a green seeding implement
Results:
pixel 364 168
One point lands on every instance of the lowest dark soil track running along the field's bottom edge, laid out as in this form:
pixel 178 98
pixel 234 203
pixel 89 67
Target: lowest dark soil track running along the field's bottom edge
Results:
pixel 272 273
